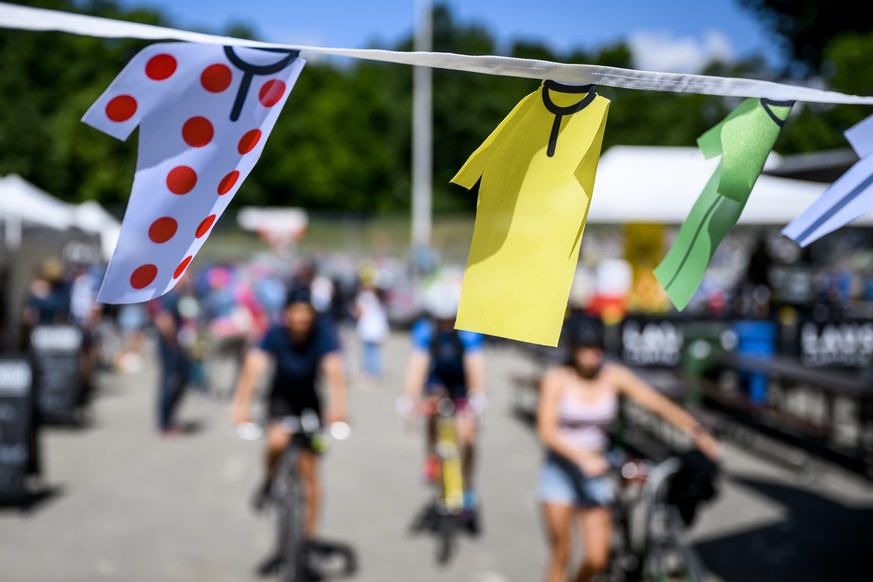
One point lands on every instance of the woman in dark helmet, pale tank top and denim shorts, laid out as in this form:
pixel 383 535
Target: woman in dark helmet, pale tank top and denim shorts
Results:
pixel 578 401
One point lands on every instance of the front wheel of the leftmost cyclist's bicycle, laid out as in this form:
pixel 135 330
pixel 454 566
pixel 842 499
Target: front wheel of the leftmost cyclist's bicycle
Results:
pixel 288 498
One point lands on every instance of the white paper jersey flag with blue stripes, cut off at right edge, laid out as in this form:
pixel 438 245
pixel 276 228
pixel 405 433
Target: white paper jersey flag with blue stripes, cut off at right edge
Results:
pixel 850 197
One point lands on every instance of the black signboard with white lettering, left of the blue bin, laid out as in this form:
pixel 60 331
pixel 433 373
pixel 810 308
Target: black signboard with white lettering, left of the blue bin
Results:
pixel 651 342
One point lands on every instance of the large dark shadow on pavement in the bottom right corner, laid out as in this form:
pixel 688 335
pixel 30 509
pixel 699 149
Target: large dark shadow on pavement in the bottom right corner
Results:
pixel 820 539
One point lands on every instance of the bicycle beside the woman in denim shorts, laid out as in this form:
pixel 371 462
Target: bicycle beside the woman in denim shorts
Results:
pixel 663 552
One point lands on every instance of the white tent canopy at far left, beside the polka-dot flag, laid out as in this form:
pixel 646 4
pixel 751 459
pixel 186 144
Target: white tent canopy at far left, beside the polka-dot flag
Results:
pixel 22 201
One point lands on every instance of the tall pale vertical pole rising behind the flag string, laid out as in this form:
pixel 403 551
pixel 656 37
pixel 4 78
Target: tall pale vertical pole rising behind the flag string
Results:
pixel 422 140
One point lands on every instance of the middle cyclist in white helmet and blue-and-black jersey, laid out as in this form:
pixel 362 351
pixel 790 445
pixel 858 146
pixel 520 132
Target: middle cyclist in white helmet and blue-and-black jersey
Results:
pixel 447 362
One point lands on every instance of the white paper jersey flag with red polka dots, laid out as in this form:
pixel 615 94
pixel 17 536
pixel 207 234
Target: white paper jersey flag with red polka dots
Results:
pixel 204 113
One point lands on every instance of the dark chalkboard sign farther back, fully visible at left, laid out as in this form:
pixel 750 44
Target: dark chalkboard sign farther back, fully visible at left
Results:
pixel 56 351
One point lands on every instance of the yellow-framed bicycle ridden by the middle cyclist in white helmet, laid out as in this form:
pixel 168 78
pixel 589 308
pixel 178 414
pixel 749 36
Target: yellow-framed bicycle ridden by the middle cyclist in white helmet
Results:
pixel 444 515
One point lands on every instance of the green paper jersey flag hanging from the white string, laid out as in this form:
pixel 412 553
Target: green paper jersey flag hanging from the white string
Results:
pixel 744 140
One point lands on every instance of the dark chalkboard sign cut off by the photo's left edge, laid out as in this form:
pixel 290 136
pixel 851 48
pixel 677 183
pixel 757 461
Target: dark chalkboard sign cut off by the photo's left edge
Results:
pixel 16 424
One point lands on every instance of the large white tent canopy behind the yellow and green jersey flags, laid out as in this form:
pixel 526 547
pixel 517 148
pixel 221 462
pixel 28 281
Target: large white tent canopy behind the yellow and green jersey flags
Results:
pixel 660 185
